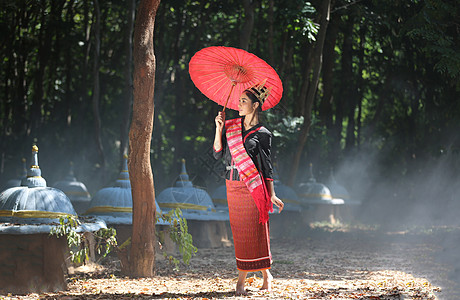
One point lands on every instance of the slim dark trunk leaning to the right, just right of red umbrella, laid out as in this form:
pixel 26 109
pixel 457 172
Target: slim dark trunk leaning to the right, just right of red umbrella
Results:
pixel 313 85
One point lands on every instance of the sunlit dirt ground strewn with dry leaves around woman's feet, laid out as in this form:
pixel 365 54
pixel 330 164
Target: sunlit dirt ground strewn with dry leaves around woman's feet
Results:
pixel 320 264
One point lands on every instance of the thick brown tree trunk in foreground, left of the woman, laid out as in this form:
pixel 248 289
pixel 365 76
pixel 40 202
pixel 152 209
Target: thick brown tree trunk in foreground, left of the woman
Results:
pixel 142 255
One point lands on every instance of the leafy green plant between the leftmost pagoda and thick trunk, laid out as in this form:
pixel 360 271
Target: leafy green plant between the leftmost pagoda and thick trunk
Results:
pixel 78 242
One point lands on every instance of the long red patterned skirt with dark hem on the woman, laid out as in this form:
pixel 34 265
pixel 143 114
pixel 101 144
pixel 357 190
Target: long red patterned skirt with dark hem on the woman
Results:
pixel 250 238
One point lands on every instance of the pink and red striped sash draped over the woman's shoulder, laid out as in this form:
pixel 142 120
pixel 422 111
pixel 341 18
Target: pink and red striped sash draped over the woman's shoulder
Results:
pixel 247 169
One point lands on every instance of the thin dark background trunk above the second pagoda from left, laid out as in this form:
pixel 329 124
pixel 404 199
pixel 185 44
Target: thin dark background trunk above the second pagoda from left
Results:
pixel 96 86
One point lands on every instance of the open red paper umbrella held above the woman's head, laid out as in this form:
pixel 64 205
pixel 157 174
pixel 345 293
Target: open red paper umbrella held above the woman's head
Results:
pixel 223 73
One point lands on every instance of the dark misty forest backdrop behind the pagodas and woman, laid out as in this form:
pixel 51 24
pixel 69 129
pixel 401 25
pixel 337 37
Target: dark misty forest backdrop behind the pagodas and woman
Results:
pixel 372 93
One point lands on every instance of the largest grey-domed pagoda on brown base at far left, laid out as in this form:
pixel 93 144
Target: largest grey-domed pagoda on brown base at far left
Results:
pixel 30 259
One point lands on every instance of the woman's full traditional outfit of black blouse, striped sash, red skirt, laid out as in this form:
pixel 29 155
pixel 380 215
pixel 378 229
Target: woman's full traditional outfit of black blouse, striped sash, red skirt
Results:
pixel 248 204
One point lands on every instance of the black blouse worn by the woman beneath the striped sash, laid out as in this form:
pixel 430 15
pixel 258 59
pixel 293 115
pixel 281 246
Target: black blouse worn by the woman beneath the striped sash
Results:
pixel 257 142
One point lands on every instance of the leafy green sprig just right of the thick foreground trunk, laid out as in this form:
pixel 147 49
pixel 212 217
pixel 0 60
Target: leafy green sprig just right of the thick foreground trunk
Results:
pixel 178 231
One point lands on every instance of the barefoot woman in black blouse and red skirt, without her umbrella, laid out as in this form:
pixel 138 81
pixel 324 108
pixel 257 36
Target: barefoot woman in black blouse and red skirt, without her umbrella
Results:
pixel 245 146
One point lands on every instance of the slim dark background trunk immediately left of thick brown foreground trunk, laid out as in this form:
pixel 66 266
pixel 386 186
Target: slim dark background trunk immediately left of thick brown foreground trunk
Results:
pixel 128 103
